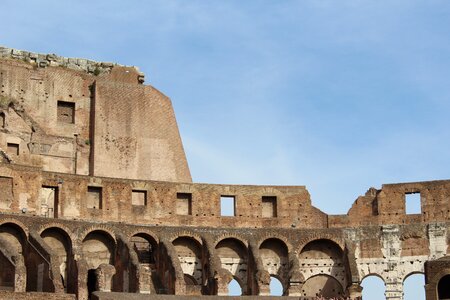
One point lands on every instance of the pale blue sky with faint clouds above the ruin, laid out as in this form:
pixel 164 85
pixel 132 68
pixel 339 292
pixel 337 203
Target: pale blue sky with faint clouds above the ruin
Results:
pixel 339 96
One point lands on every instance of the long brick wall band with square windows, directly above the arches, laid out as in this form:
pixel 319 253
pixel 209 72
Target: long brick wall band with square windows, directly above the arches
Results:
pixel 33 192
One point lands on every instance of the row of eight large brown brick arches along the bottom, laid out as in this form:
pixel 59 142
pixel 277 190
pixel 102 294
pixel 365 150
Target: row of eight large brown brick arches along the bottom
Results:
pixel 98 260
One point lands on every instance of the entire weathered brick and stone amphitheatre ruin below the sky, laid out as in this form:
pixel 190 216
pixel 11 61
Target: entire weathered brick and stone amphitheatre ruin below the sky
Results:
pixel 97 202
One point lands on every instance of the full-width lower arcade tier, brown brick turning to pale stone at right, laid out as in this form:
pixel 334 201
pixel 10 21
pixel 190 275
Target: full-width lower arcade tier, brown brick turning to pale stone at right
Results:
pixel 153 259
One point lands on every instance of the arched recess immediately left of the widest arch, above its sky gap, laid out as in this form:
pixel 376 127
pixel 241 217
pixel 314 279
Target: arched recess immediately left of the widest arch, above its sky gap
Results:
pixel 274 256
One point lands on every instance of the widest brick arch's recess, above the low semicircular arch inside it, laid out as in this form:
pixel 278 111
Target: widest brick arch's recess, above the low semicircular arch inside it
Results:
pixel 323 257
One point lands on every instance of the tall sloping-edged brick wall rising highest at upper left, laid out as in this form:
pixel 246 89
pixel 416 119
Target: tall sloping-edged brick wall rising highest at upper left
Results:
pixel 64 117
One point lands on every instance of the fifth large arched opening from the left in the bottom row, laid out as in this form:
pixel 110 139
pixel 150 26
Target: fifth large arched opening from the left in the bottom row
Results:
pixel 189 253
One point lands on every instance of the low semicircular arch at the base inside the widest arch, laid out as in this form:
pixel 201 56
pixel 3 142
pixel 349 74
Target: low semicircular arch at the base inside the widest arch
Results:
pixel 322 285
